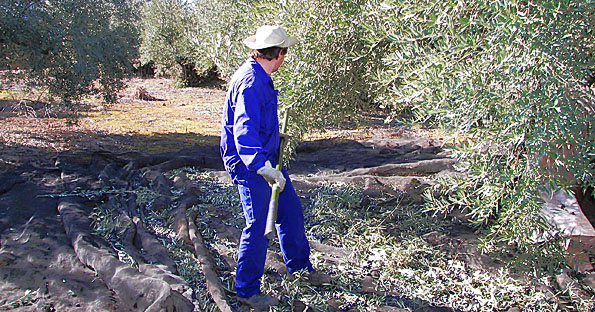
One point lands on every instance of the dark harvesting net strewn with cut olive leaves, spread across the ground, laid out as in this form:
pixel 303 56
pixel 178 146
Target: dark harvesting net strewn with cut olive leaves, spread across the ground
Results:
pixel 127 231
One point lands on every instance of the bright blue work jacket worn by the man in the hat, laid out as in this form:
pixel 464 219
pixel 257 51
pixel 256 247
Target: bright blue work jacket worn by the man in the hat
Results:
pixel 250 127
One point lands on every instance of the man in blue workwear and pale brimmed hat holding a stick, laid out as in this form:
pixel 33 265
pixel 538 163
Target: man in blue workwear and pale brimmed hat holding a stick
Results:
pixel 250 149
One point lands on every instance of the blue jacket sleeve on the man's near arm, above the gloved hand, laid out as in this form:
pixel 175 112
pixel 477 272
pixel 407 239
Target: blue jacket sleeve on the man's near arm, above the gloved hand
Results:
pixel 247 128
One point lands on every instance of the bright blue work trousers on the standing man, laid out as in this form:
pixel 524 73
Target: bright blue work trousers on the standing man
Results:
pixel 255 194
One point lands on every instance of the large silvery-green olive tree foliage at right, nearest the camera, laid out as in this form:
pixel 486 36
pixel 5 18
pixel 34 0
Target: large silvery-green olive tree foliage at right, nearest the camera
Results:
pixel 511 75
